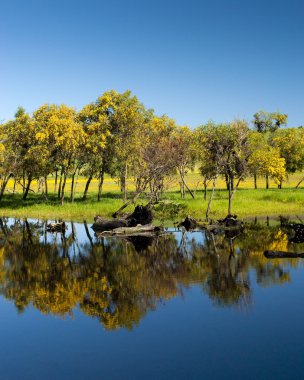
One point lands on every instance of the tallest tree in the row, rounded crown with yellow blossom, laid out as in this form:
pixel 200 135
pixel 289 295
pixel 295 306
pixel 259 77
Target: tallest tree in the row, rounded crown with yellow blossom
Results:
pixel 112 125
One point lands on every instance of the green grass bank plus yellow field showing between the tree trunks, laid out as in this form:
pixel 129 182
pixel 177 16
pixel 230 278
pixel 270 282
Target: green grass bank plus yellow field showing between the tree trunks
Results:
pixel 247 201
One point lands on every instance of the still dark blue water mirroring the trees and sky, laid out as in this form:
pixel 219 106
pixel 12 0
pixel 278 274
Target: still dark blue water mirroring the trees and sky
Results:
pixel 194 305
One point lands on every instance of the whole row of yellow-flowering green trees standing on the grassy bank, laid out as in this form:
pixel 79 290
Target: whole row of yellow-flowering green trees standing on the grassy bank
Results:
pixel 117 135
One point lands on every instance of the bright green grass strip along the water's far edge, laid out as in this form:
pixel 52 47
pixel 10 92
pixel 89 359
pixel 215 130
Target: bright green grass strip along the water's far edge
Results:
pixel 246 203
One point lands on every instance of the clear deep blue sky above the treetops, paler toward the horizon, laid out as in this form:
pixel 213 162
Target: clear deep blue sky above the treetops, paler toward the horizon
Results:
pixel 193 60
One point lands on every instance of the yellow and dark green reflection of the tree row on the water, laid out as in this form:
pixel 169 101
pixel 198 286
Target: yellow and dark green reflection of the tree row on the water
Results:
pixel 119 280
